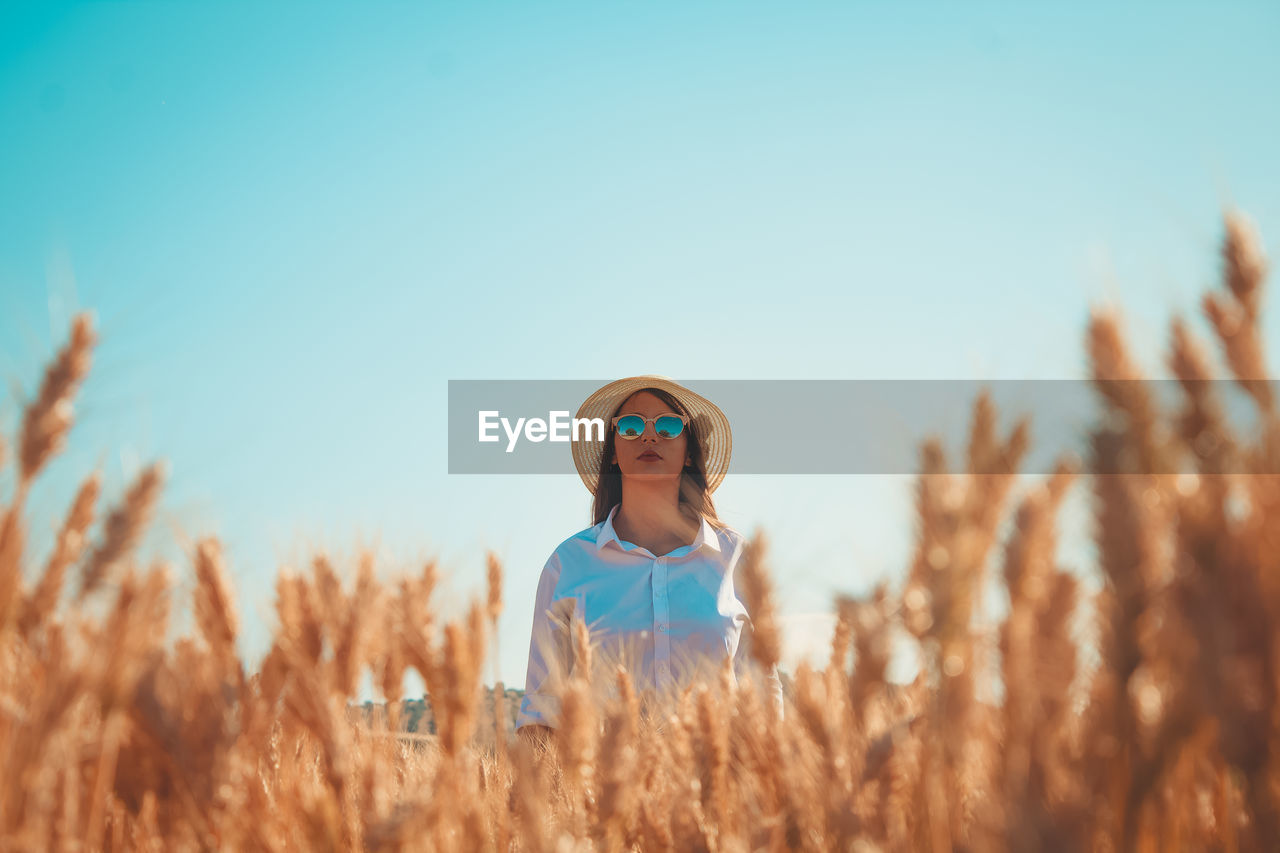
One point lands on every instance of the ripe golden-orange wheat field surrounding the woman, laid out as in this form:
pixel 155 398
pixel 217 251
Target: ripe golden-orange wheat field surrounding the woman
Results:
pixel 1162 738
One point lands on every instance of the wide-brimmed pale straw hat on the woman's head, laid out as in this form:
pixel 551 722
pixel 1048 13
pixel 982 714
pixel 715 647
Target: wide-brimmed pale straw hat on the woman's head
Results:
pixel 708 423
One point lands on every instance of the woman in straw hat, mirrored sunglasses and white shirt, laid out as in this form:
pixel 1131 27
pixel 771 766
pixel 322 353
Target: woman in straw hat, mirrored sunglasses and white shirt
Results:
pixel 653 578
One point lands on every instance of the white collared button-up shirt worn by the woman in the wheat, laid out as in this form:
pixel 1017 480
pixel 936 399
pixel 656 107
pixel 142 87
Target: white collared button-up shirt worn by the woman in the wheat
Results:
pixel 669 619
